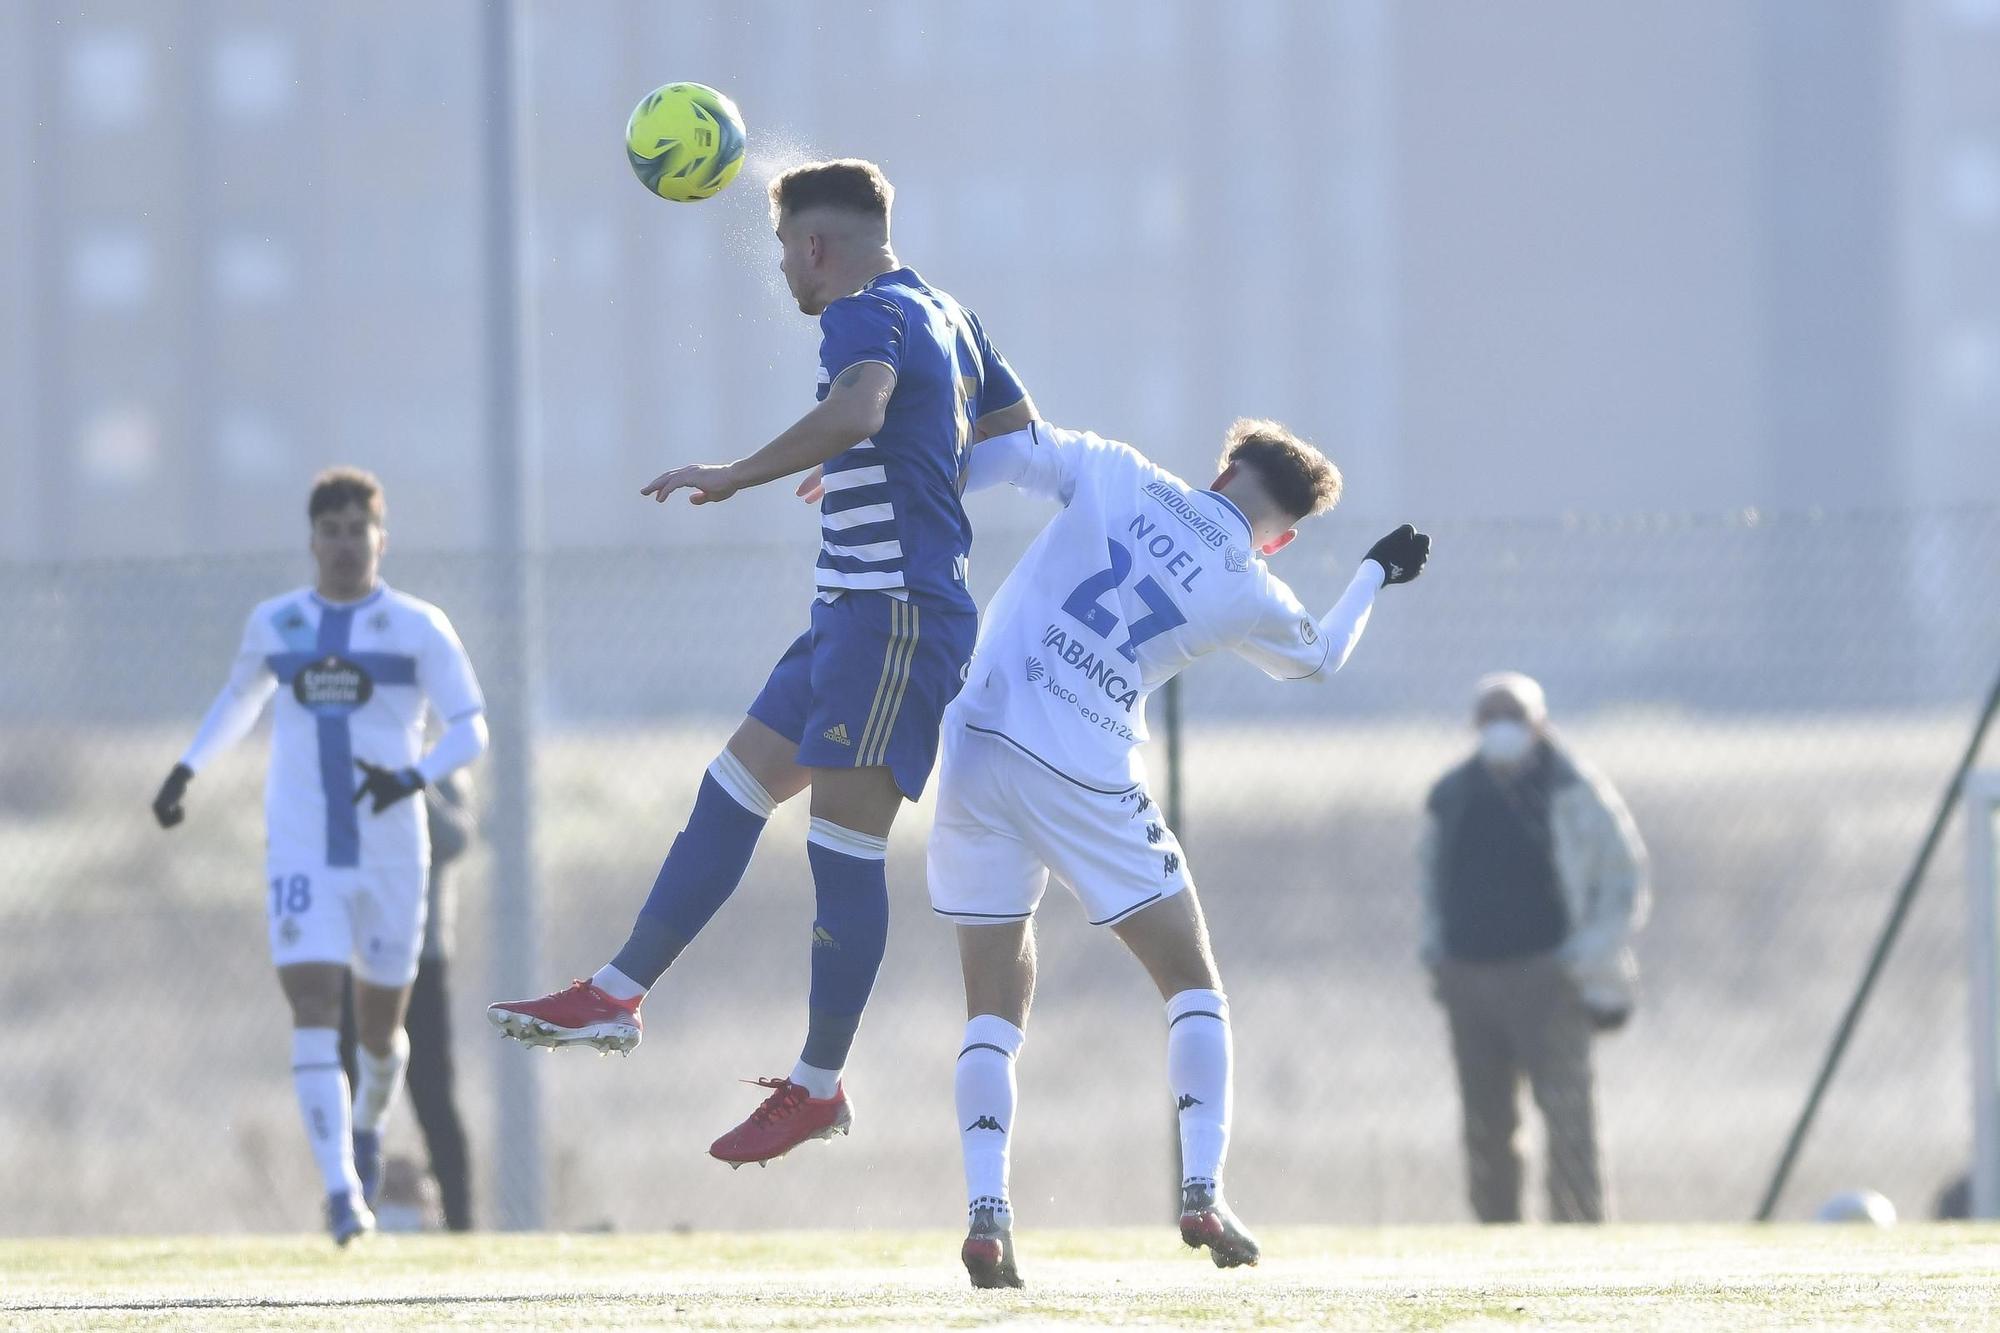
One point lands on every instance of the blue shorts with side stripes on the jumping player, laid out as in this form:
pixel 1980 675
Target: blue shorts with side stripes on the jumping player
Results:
pixel 869 686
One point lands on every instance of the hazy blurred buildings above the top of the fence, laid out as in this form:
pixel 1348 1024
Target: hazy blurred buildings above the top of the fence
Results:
pixel 1527 259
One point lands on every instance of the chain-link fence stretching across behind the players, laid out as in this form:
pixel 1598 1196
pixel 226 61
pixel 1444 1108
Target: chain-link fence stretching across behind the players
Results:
pixel 1781 704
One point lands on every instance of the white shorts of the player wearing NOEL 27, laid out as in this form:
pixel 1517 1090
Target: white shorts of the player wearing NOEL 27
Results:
pixel 1007 820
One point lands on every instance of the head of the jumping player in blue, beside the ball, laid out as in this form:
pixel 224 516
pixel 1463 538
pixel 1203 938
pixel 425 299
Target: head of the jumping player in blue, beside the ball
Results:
pixel 833 229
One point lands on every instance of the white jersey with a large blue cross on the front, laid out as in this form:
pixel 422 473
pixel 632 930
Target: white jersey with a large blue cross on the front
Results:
pixel 351 684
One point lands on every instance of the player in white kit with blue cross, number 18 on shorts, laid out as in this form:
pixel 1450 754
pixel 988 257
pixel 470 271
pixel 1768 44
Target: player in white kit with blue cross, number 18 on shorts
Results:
pixel 347 852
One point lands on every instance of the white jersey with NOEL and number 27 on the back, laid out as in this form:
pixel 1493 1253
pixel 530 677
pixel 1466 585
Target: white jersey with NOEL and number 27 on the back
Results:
pixel 1137 577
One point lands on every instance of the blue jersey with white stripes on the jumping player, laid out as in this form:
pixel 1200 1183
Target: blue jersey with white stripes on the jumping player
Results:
pixel 893 519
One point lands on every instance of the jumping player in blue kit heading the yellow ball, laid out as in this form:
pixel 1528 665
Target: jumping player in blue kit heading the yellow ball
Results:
pixel 909 383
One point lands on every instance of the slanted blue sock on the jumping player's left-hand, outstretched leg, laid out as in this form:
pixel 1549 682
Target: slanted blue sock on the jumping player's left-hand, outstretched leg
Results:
pixel 701 872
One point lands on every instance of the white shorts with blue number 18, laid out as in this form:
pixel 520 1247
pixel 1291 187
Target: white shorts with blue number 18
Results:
pixel 369 920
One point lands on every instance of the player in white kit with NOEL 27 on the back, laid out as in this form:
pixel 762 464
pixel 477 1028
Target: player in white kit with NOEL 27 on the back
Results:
pixel 1137 577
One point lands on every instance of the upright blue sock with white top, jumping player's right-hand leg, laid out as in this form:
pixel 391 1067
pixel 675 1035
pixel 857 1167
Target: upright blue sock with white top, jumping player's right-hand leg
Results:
pixel 851 888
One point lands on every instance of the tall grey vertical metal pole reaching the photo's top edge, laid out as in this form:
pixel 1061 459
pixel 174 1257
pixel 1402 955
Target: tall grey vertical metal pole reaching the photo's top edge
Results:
pixel 515 625
